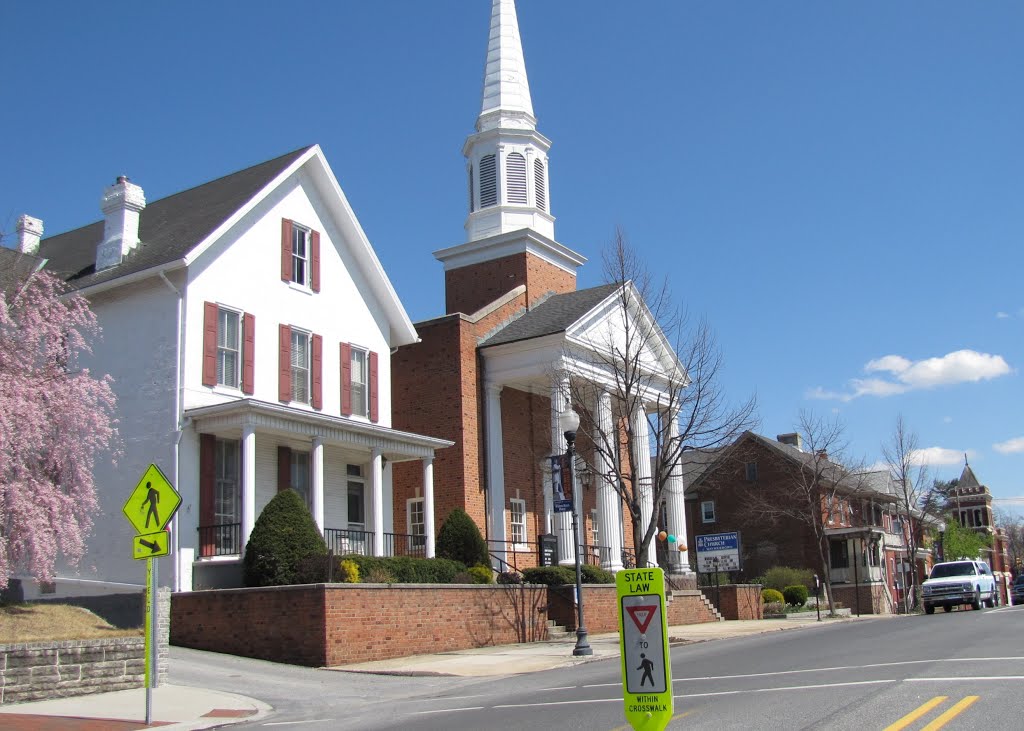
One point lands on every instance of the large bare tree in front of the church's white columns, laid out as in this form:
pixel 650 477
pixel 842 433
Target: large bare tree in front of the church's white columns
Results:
pixel 663 374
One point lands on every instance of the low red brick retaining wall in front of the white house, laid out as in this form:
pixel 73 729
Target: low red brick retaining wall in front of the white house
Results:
pixel 330 625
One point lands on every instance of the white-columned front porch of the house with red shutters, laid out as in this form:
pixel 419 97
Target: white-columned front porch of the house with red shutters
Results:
pixel 249 451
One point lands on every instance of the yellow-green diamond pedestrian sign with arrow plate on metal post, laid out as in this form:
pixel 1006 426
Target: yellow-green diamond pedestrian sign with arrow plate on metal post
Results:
pixel 150 509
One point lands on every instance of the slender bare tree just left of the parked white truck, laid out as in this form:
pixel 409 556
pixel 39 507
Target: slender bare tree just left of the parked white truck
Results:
pixel 915 497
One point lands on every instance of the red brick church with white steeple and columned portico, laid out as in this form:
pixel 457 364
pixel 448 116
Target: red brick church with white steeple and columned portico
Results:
pixel 494 373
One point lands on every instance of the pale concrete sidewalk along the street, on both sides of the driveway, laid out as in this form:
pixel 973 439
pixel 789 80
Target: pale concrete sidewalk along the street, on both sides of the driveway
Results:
pixel 180 708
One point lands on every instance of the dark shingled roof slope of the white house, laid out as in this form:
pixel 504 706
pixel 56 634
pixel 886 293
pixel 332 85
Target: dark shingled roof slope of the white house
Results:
pixel 168 229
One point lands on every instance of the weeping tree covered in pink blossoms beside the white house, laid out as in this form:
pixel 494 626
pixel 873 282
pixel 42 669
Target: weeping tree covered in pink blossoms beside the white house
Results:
pixel 56 419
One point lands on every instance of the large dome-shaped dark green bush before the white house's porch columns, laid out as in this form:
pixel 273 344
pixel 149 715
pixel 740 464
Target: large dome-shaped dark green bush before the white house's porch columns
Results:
pixel 284 538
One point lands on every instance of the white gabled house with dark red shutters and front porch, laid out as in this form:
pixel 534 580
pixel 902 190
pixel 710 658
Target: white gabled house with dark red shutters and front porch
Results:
pixel 248 326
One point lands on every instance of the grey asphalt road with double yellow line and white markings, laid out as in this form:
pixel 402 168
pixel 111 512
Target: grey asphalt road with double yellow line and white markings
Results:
pixel 957 671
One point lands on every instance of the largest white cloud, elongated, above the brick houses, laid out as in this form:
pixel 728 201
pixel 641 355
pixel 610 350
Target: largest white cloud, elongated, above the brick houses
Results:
pixel 906 375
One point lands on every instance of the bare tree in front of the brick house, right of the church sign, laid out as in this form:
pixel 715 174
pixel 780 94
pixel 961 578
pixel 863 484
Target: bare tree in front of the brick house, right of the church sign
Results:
pixel 819 487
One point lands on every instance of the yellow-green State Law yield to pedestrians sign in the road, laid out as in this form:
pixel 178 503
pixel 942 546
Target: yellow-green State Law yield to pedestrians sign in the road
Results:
pixel 644 632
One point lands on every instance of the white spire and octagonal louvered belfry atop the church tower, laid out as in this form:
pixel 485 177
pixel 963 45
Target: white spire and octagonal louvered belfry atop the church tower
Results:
pixel 507 158
